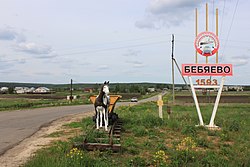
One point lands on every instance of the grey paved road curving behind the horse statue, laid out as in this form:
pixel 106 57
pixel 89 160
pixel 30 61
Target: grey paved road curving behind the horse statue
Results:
pixel 16 126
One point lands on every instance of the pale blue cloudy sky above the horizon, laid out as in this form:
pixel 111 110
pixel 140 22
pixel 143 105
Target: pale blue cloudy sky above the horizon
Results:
pixel 91 41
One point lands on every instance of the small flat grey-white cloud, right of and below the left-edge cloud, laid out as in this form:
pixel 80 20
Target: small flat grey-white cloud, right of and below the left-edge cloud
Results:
pixel 33 48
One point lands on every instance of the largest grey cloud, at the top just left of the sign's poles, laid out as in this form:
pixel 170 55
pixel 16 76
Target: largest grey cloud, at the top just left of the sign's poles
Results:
pixel 166 13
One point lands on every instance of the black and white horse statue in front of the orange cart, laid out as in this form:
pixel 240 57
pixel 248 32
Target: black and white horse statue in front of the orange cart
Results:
pixel 101 106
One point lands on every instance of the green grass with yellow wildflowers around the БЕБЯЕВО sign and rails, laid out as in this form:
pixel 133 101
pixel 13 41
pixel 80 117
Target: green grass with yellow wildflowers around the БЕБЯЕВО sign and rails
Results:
pixel 149 141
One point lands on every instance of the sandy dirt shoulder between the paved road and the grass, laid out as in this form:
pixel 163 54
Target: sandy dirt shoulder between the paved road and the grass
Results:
pixel 19 154
